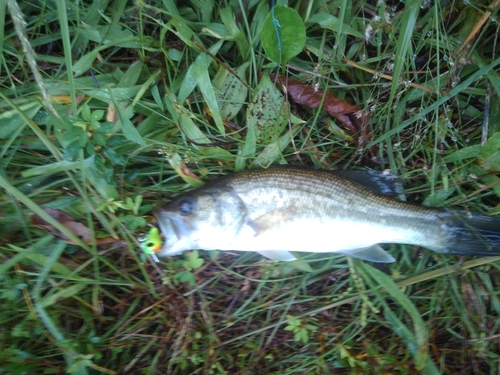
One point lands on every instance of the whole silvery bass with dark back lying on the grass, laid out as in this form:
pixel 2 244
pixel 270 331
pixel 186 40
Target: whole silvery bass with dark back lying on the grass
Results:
pixel 277 211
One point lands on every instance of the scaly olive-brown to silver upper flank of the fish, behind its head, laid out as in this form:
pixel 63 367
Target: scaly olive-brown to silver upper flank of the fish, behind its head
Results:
pixel 323 195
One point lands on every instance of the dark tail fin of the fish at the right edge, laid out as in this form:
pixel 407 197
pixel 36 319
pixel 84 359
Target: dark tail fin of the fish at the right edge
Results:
pixel 472 234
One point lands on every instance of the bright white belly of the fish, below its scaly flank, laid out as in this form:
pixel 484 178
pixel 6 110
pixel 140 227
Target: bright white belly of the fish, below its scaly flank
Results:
pixel 314 236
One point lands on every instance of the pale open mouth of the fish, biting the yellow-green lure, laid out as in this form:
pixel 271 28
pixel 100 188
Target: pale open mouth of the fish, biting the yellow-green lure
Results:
pixel 175 233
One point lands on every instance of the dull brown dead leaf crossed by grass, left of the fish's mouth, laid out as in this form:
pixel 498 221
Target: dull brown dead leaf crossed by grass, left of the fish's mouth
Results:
pixel 75 227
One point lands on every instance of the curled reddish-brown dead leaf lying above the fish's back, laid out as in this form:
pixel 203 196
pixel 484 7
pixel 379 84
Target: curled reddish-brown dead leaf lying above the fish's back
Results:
pixel 352 117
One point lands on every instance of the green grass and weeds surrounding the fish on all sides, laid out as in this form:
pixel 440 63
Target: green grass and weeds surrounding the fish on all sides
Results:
pixel 149 99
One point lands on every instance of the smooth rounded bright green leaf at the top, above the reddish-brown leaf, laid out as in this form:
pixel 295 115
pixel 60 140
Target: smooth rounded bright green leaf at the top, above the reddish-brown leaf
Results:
pixel 292 34
